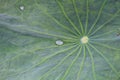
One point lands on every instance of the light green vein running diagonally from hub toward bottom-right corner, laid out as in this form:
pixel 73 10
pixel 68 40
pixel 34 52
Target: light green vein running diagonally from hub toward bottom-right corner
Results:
pixel 112 67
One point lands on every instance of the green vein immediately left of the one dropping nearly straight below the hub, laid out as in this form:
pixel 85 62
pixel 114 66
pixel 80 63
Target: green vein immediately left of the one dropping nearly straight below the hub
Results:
pixel 74 60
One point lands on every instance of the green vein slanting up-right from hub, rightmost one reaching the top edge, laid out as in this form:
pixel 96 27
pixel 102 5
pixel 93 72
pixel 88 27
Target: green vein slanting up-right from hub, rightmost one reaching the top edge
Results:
pixel 98 17
